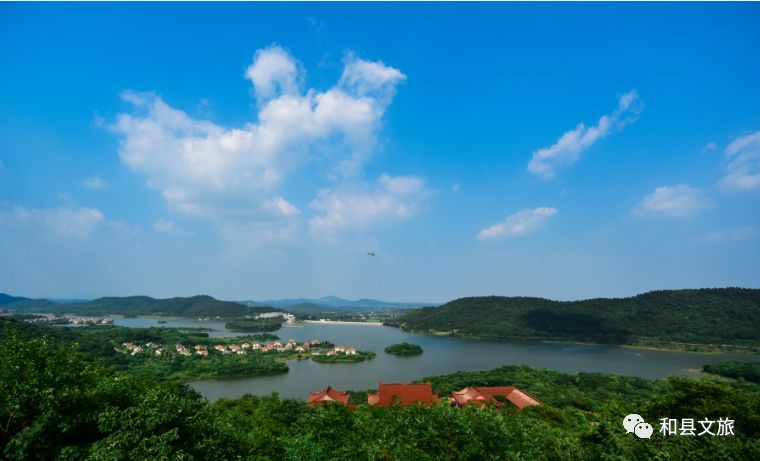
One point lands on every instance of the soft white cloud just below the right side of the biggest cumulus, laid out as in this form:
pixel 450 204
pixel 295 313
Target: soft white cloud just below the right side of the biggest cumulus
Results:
pixel 342 210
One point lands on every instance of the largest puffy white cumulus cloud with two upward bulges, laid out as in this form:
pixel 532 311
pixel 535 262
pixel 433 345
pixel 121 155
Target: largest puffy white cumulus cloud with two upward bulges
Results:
pixel 204 169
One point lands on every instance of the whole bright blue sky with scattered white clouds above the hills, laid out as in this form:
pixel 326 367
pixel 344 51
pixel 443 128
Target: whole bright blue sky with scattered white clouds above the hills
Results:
pixel 259 151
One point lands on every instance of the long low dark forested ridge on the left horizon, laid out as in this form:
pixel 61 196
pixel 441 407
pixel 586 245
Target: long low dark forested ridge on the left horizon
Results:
pixel 195 306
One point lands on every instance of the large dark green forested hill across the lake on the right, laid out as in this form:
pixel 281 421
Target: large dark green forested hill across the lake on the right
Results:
pixel 704 316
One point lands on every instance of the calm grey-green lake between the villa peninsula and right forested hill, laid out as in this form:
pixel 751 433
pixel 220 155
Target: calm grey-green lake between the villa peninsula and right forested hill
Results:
pixel 444 355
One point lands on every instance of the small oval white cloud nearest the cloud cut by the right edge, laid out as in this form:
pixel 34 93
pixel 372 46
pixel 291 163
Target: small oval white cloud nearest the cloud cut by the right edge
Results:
pixel 678 201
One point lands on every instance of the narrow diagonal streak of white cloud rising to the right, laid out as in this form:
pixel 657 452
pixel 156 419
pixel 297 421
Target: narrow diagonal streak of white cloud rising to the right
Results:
pixel 569 147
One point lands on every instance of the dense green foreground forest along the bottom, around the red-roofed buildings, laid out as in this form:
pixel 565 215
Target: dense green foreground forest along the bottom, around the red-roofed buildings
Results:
pixel 58 404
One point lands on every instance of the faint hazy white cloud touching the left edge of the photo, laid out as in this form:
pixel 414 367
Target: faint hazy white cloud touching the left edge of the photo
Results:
pixel 64 221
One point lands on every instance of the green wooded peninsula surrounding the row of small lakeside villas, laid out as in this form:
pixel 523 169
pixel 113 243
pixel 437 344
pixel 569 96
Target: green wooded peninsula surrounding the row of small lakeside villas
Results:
pixel 104 344
